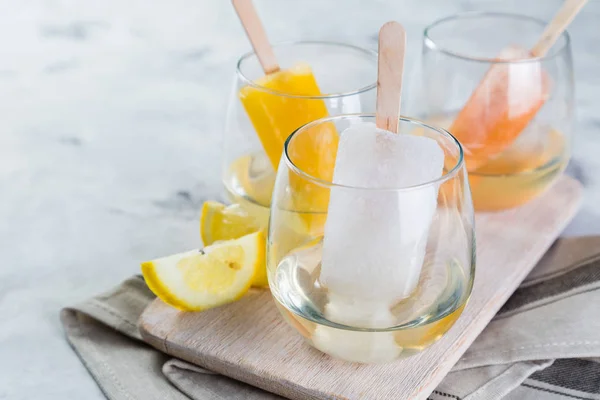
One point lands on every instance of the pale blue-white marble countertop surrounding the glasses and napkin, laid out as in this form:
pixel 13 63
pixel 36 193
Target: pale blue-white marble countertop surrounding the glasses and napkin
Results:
pixel 111 115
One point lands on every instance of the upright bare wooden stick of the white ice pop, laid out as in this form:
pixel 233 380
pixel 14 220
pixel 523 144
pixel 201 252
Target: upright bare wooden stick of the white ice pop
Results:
pixel 390 67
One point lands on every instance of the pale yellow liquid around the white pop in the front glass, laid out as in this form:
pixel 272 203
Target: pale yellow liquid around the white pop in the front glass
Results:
pixel 422 318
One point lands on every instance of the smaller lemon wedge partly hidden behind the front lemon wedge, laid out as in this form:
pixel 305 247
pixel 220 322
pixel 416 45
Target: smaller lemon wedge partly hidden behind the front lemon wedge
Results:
pixel 220 222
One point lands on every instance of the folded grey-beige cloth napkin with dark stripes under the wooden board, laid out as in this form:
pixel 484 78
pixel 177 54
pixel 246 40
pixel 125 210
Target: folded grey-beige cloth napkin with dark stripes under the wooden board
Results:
pixel 543 344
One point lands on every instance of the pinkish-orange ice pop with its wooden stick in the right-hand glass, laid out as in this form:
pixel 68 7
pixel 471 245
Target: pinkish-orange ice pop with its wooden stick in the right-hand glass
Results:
pixel 509 96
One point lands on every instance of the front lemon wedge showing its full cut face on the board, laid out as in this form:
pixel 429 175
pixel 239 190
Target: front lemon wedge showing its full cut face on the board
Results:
pixel 199 280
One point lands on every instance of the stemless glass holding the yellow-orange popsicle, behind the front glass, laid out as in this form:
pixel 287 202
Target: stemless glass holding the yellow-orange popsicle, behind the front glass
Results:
pixel 346 77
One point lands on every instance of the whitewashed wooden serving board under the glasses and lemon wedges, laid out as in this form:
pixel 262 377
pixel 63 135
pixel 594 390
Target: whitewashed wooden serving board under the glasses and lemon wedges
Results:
pixel 249 341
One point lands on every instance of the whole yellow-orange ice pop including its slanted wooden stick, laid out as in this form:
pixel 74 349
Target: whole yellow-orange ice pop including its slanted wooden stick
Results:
pixel 278 104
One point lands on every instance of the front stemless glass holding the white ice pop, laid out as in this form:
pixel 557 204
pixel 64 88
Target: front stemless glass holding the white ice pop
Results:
pixel 430 280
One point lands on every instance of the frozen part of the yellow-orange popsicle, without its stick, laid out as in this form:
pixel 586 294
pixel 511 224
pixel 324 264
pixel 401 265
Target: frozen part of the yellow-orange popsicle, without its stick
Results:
pixel 275 116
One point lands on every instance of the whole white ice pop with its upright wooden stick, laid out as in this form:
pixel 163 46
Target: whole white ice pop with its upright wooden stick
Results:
pixel 375 240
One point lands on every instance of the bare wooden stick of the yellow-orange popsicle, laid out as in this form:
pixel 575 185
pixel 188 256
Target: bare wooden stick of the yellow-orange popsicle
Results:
pixel 257 35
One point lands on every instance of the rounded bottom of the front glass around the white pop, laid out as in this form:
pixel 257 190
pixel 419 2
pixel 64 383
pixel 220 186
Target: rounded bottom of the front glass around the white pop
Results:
pixel 420 319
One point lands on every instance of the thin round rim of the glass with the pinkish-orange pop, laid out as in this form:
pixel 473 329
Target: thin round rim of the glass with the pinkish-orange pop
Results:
pixel 433 45
